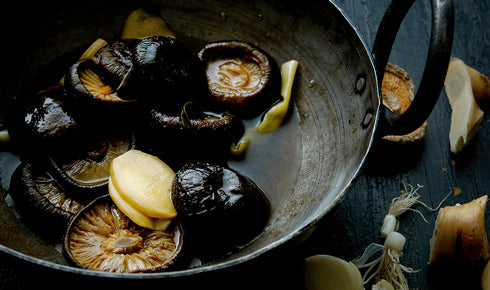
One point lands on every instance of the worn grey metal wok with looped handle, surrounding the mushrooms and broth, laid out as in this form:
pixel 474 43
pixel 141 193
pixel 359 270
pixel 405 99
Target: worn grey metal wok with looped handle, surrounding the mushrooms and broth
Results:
pixel 336 95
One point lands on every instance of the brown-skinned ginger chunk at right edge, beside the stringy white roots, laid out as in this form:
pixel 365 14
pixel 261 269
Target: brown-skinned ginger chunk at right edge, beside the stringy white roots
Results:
pixel 460 234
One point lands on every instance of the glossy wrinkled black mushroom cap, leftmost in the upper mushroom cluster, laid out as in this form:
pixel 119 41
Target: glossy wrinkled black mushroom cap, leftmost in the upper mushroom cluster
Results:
pixel 45 121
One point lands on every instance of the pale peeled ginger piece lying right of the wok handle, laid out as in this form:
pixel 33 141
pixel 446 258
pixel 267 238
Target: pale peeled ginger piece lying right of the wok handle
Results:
pixel 466 115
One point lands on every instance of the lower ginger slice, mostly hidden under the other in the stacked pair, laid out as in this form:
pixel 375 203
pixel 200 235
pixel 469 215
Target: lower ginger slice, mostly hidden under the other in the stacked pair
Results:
pixel 135 215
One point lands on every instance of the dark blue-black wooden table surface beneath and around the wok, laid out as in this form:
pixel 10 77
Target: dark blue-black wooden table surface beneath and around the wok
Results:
pixel 355 223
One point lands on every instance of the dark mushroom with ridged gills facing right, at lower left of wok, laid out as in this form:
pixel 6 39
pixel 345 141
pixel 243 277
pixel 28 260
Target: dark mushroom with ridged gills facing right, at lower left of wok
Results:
pixel 42 203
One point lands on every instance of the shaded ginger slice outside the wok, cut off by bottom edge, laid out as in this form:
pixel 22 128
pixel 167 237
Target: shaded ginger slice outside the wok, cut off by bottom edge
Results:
pixel 329 272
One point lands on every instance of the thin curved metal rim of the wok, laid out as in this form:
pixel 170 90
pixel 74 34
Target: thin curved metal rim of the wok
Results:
pixel 300 232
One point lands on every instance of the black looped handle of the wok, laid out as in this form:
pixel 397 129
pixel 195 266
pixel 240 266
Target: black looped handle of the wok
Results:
pixel 438 57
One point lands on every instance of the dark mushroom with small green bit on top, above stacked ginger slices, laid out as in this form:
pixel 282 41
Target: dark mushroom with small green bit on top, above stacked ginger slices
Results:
pixel 192 134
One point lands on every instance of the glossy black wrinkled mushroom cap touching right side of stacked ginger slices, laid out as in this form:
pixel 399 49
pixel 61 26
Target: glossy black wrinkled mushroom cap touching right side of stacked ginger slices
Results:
pixel 218 202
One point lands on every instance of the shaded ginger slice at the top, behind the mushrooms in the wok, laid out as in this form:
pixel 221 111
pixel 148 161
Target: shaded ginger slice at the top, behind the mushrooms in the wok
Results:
pixel 142 23
